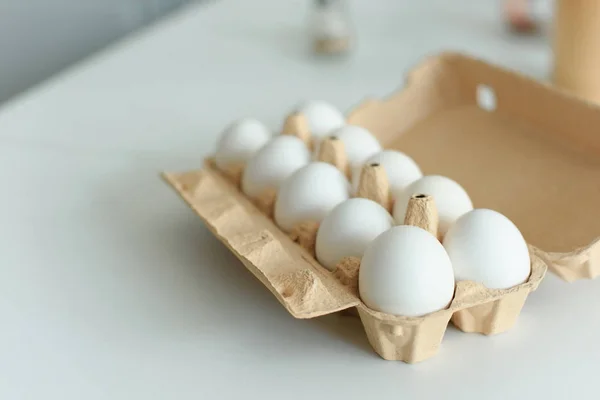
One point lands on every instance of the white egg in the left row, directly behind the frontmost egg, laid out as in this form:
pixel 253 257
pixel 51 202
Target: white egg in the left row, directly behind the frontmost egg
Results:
pixel 348 229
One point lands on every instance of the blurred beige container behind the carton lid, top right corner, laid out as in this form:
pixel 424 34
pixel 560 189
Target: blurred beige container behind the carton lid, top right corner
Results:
pixel 577 47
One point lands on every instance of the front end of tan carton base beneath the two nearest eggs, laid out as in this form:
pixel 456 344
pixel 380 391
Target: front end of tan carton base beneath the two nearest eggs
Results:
pixel 474 308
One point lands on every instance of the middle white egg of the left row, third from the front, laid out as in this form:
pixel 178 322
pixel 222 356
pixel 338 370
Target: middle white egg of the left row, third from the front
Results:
pixel 309 194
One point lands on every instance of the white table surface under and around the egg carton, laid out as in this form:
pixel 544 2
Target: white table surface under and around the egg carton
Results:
pixel 111 288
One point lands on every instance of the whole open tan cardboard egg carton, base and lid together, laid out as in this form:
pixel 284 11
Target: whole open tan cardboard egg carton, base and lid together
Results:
pixel 497 133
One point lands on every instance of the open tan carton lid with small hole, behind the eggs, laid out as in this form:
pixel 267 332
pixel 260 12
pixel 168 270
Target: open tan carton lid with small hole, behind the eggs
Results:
pixel 520 147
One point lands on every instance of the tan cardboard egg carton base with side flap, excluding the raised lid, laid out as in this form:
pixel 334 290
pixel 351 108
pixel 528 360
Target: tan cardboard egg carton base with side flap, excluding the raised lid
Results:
pixel 286 265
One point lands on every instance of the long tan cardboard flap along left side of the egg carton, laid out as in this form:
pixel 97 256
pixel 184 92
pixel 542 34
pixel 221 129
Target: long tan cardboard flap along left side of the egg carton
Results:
pixel 300 284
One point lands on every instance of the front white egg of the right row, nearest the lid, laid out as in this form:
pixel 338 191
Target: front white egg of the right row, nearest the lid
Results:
pixel 486 247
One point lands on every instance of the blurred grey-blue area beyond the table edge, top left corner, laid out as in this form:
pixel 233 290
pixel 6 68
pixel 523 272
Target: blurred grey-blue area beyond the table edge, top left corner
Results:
pixel 40 37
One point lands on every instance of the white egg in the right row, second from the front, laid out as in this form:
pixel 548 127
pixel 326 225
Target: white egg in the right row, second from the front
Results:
pixel 450 198
